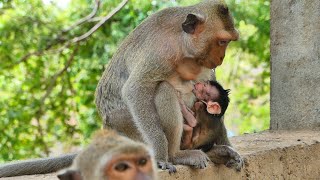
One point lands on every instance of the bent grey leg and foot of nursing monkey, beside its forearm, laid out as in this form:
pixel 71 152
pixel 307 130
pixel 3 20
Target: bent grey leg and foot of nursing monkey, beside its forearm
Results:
pixel 171 118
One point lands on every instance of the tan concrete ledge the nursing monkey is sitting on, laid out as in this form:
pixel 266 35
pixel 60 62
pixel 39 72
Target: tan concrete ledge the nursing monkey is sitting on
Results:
pixel 268 155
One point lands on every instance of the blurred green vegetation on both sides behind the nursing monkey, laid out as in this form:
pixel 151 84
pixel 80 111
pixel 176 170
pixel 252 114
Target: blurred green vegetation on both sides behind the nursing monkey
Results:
pixel 48 75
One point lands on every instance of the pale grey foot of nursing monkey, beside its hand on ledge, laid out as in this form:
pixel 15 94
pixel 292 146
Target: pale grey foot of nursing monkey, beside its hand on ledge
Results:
pixel 194 158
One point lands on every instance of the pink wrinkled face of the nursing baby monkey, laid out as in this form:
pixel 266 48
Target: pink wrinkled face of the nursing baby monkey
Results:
pixel 206 92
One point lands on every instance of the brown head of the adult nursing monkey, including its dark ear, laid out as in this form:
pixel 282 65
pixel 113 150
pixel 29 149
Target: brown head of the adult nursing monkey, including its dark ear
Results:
pixel 211 32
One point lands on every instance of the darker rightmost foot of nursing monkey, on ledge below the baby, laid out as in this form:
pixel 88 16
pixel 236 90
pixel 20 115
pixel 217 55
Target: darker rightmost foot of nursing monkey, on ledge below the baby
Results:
pixel 223 154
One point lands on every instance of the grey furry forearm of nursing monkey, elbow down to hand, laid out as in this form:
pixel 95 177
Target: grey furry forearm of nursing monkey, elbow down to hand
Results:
pixel 140 98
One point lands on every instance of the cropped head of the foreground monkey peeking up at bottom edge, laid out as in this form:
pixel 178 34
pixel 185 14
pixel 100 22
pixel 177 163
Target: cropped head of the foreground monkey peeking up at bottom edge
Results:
pixel 112 157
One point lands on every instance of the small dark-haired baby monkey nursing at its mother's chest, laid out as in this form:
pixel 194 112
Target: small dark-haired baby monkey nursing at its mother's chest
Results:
pixel 203 120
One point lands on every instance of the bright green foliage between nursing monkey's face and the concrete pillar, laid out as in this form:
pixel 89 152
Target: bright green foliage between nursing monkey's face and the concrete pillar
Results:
pixel 246 68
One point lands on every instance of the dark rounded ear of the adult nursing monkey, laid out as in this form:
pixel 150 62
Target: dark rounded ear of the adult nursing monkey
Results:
pixel 191 23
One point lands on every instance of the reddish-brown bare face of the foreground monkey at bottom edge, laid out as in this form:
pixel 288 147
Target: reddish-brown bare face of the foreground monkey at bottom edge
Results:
pixel 130 167
